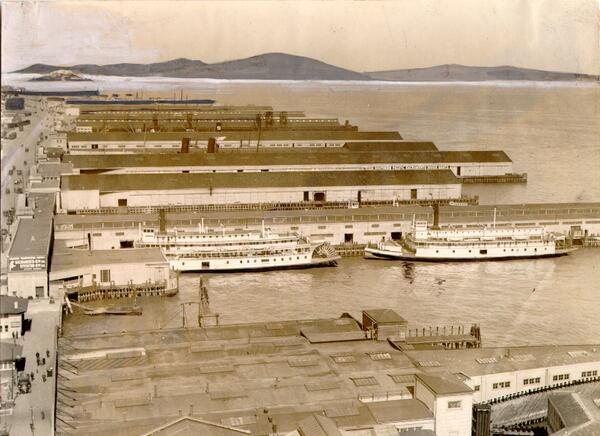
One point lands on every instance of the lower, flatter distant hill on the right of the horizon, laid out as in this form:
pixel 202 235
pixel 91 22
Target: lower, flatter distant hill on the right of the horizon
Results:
pixel 453 72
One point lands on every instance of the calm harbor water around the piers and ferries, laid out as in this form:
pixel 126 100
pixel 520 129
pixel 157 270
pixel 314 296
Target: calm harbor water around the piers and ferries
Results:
pixel 552 132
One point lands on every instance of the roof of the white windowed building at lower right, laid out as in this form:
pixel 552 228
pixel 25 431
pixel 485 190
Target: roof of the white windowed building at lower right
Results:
pixel 481 361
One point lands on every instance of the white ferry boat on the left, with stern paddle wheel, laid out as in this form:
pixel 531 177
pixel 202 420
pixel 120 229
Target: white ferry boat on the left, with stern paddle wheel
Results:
pixel 204 250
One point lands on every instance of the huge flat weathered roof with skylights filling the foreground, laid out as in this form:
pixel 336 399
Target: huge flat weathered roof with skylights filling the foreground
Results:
pixel 233 373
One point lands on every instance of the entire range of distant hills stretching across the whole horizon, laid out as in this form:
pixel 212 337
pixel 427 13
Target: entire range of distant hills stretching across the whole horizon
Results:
pixel 281 66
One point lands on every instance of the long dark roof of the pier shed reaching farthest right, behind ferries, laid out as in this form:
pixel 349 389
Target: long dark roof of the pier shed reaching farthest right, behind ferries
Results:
pixel 280 159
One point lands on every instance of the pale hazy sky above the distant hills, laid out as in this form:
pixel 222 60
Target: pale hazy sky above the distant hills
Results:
pixel 557 35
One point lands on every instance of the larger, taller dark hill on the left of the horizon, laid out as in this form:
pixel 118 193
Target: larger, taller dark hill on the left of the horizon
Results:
pixel 271 66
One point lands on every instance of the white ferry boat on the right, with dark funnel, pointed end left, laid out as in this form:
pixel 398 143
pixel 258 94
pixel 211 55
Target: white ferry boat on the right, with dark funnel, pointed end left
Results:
pixel 425 243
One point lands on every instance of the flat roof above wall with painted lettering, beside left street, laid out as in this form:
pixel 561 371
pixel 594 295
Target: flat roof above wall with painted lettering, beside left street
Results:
pixel 33 237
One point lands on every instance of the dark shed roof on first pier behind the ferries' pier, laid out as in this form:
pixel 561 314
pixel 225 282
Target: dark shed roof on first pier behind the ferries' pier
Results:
pixel 161 181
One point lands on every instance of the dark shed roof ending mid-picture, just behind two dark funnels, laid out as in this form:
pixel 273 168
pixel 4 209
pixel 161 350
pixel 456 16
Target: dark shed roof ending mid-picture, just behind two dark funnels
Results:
pixel 268 135
